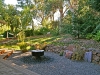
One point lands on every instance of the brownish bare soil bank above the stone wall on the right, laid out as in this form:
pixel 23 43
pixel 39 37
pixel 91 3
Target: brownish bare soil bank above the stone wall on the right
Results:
pixel 87 43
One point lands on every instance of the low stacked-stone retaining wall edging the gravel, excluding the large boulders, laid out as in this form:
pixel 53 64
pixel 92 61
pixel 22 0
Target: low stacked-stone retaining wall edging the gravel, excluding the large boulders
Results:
pixel 58 49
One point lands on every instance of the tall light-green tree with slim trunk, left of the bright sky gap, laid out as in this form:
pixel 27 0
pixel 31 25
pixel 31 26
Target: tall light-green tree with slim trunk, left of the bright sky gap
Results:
pixel 32 10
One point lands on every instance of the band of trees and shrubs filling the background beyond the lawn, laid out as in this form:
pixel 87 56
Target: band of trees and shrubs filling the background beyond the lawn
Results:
pixel 81 18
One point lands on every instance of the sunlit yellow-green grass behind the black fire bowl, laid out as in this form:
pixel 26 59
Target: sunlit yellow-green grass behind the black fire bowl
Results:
pixel 31 40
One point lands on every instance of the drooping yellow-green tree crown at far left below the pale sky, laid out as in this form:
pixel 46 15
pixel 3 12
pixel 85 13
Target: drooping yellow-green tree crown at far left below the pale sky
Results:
pixel 12 18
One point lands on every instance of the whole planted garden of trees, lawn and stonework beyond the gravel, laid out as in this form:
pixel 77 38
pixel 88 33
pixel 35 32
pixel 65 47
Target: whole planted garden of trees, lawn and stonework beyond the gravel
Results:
pixel 79 28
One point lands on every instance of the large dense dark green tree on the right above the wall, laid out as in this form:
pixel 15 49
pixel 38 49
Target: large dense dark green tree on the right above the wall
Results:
pixel 84 18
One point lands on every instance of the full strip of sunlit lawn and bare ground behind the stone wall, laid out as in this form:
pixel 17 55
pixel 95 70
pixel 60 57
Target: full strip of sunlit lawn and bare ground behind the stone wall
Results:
pixel 61 40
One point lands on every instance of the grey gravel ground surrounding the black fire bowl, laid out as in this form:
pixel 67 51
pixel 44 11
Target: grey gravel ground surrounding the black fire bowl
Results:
pixel 53 64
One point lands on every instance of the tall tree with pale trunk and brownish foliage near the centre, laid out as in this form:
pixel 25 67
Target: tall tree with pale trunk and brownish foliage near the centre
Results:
pixel 52 6
